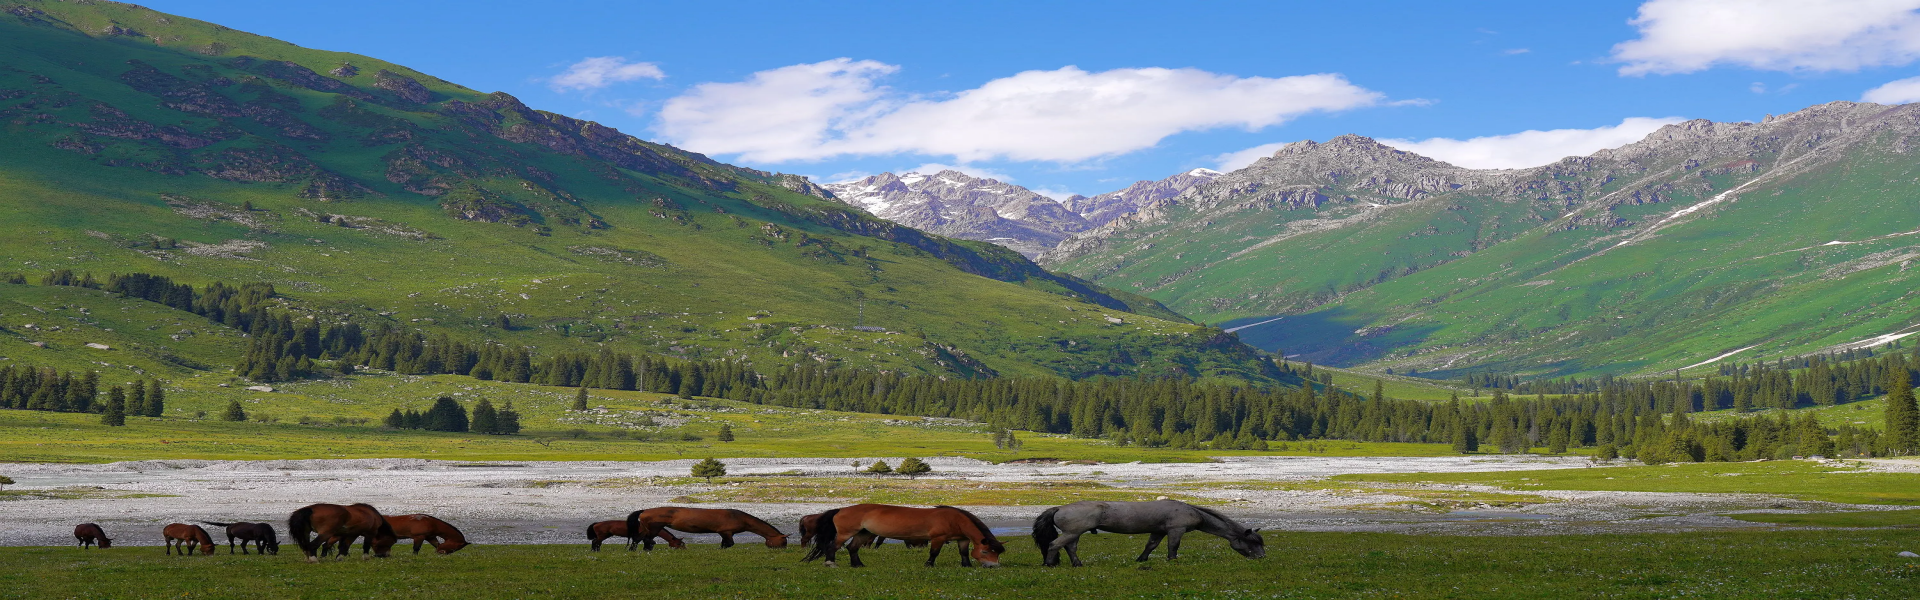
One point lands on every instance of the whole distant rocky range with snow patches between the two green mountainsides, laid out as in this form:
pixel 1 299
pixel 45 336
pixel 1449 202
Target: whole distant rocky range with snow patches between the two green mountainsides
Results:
pixel 976 209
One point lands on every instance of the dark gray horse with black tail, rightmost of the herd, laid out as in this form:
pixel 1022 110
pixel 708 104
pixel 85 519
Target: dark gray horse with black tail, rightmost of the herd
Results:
pixel 1161 518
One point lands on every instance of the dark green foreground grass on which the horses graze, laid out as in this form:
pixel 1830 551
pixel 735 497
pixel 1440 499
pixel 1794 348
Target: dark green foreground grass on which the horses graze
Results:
pixel 1788 564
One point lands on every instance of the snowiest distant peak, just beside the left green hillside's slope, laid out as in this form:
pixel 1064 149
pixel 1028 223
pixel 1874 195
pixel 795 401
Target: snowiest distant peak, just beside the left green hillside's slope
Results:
pixel 957 205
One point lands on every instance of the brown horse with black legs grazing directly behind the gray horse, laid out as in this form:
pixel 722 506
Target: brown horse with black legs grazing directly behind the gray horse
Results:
pixel 859 524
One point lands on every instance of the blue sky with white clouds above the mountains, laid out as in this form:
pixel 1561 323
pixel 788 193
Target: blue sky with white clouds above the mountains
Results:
pixel 1090 97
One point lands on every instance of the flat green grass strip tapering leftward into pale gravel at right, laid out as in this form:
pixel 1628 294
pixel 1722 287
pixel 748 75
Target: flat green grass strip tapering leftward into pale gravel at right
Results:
pixel 1794 480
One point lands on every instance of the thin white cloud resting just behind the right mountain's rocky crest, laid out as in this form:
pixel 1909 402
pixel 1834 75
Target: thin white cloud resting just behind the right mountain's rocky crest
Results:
pixel 1531 149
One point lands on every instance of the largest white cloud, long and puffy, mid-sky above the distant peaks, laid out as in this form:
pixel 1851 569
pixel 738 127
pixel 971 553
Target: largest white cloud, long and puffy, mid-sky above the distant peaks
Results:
pixel 836 109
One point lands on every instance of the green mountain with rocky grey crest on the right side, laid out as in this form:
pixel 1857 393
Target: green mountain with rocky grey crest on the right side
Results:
pixel 1704 241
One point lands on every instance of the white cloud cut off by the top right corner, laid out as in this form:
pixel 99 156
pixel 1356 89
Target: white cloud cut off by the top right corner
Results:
pixel 1775 36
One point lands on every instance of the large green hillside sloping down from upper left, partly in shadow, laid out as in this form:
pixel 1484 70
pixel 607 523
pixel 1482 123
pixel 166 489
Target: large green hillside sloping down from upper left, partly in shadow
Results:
pixel 373 193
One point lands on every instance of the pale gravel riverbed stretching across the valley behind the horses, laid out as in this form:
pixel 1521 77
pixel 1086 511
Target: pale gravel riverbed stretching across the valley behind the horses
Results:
pixel 542 503
